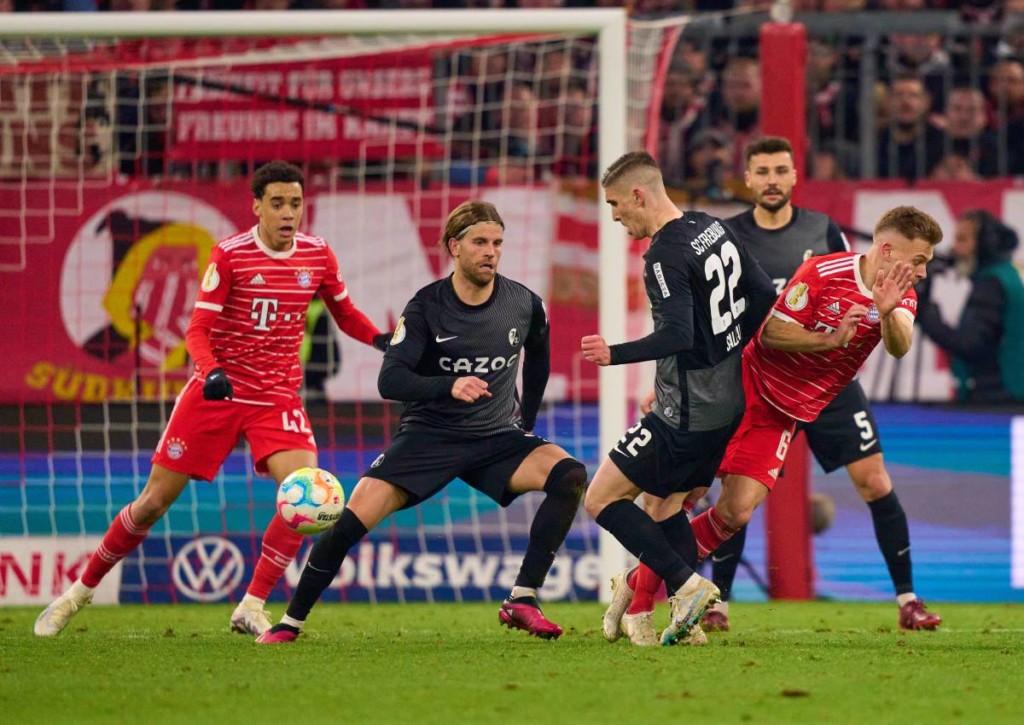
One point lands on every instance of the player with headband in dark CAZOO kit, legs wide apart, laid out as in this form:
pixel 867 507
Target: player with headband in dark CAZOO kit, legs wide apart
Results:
pixel 454 360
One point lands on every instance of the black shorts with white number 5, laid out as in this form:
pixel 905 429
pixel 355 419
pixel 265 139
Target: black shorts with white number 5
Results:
pixel 845 432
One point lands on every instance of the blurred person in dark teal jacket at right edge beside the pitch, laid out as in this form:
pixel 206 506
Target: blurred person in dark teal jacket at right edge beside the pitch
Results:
pixel 988 344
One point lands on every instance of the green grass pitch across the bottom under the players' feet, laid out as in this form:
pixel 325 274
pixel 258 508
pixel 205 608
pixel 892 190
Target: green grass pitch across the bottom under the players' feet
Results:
pixel 783 663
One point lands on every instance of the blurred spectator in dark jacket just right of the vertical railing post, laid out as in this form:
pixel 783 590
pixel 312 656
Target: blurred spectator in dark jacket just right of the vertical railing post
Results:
pixel 911 147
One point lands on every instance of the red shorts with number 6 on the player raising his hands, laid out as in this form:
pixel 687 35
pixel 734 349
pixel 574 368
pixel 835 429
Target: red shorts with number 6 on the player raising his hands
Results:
pixel 758 448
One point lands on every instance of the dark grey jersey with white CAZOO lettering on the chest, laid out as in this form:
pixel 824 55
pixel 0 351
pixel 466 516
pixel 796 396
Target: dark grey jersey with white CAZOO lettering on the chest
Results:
pixel 442 338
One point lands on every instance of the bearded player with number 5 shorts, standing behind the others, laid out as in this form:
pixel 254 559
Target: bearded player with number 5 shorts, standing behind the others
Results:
pixel 782 237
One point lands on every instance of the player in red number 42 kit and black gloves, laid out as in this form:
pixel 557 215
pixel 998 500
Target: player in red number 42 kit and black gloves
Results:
pixel 244 336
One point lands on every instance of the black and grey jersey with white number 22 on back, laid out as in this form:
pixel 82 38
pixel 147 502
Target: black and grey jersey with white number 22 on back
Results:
pixel 696 263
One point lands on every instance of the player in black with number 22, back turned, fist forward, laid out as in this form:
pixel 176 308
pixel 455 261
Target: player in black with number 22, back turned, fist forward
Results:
pixel 708 296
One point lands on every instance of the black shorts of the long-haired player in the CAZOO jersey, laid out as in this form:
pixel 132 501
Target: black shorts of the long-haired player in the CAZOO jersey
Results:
pixel 421 462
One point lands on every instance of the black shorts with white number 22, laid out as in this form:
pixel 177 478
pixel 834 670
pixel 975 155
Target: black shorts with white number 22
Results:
pixel 662 460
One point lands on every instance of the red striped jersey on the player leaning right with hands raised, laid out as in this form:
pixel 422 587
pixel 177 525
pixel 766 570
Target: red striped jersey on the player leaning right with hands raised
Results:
pixel 822 291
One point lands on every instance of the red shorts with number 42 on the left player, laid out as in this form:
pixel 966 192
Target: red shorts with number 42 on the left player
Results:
pixel 201 434
